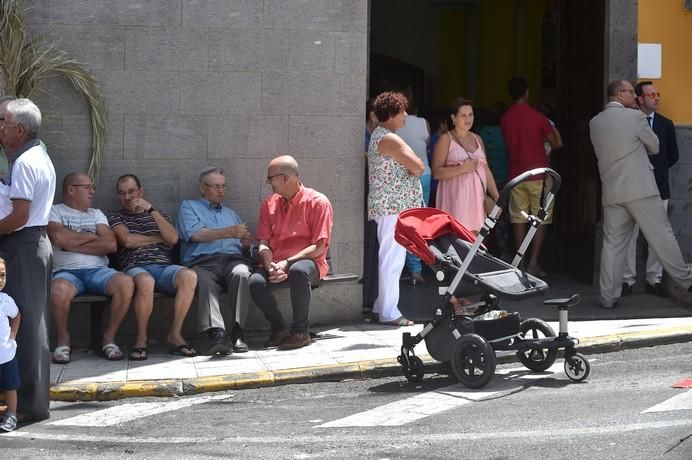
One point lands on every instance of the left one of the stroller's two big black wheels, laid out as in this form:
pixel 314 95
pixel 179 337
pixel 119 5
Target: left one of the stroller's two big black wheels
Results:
pixel 473 361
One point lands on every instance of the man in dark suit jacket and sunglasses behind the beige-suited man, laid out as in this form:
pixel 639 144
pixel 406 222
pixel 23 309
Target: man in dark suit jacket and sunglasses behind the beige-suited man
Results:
pixel 648 99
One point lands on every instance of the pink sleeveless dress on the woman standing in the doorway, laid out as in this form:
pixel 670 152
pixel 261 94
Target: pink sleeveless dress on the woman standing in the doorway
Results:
pixel 462 196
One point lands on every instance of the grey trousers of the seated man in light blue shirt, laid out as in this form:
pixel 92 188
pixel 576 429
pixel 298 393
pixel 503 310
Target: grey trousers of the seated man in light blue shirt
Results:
pixel 216 273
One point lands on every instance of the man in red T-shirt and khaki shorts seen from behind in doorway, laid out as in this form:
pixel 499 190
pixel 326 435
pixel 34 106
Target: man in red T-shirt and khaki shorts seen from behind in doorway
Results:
pixel 526 130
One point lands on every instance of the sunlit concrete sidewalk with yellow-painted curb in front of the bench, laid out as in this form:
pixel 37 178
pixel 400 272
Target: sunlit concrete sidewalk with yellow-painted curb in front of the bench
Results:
pixel 361 350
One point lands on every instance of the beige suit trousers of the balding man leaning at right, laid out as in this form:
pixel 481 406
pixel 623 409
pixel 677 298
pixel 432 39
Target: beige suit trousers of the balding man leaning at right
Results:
pixel 618 225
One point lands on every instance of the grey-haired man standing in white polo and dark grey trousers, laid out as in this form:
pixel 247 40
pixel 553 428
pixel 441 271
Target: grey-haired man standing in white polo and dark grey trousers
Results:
pixel 25 246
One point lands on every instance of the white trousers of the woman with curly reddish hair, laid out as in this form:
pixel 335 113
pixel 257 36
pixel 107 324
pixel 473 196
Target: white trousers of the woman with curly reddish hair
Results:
pixel 391 259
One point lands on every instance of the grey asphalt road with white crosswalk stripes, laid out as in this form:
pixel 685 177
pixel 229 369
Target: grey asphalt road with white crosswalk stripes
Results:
pixel 627 409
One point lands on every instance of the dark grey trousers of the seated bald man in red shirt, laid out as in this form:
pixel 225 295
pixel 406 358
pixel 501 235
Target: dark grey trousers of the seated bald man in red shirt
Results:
pixel 301 277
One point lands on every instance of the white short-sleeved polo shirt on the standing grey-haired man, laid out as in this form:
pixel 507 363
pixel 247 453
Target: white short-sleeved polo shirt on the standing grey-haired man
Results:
pixel 33 179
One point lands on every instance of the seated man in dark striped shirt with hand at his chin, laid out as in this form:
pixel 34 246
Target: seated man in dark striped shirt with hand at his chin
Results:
pixel 145 238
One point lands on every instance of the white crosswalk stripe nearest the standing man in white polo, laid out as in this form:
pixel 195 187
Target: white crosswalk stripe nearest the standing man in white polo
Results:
pixel 123 413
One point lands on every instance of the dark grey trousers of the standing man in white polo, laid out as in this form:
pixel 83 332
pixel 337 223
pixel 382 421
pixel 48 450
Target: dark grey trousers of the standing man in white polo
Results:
pixel 29 257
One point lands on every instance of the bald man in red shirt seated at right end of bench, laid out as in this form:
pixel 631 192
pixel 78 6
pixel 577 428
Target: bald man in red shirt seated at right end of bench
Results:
pixel 294 232
